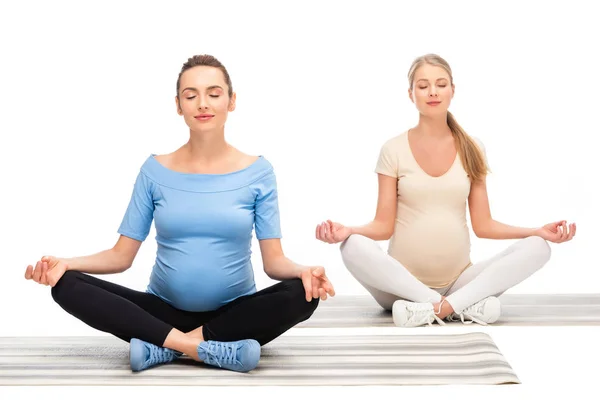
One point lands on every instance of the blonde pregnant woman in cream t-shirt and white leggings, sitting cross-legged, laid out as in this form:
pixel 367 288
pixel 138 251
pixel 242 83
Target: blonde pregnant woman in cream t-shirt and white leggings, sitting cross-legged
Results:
pixel 426 176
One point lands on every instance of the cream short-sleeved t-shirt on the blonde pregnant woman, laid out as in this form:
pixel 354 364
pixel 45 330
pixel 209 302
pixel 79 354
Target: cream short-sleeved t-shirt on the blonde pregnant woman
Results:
pixel 431 237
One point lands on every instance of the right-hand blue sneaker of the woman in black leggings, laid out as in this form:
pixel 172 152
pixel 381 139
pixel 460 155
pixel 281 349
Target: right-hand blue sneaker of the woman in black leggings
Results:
pixel 240 356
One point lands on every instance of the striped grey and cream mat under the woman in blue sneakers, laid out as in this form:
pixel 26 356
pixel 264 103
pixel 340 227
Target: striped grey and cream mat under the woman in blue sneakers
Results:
pixel 462 359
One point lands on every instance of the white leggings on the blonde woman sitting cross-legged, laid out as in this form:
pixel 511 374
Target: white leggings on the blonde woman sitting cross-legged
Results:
pixel 387 280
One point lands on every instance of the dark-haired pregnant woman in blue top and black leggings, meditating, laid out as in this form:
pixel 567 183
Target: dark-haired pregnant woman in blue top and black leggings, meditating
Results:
pixel 205 199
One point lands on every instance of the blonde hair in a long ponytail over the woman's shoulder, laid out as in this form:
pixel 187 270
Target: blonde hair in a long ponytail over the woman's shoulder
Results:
pixel 470 155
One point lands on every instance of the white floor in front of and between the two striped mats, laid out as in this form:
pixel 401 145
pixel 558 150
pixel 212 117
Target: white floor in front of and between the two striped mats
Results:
pixel 548 360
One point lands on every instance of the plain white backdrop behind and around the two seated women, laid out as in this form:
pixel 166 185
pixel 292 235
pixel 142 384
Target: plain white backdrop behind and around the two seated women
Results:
pixel 88 93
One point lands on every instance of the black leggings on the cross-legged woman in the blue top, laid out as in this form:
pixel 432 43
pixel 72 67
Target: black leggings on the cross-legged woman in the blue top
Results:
pixel 128 314
